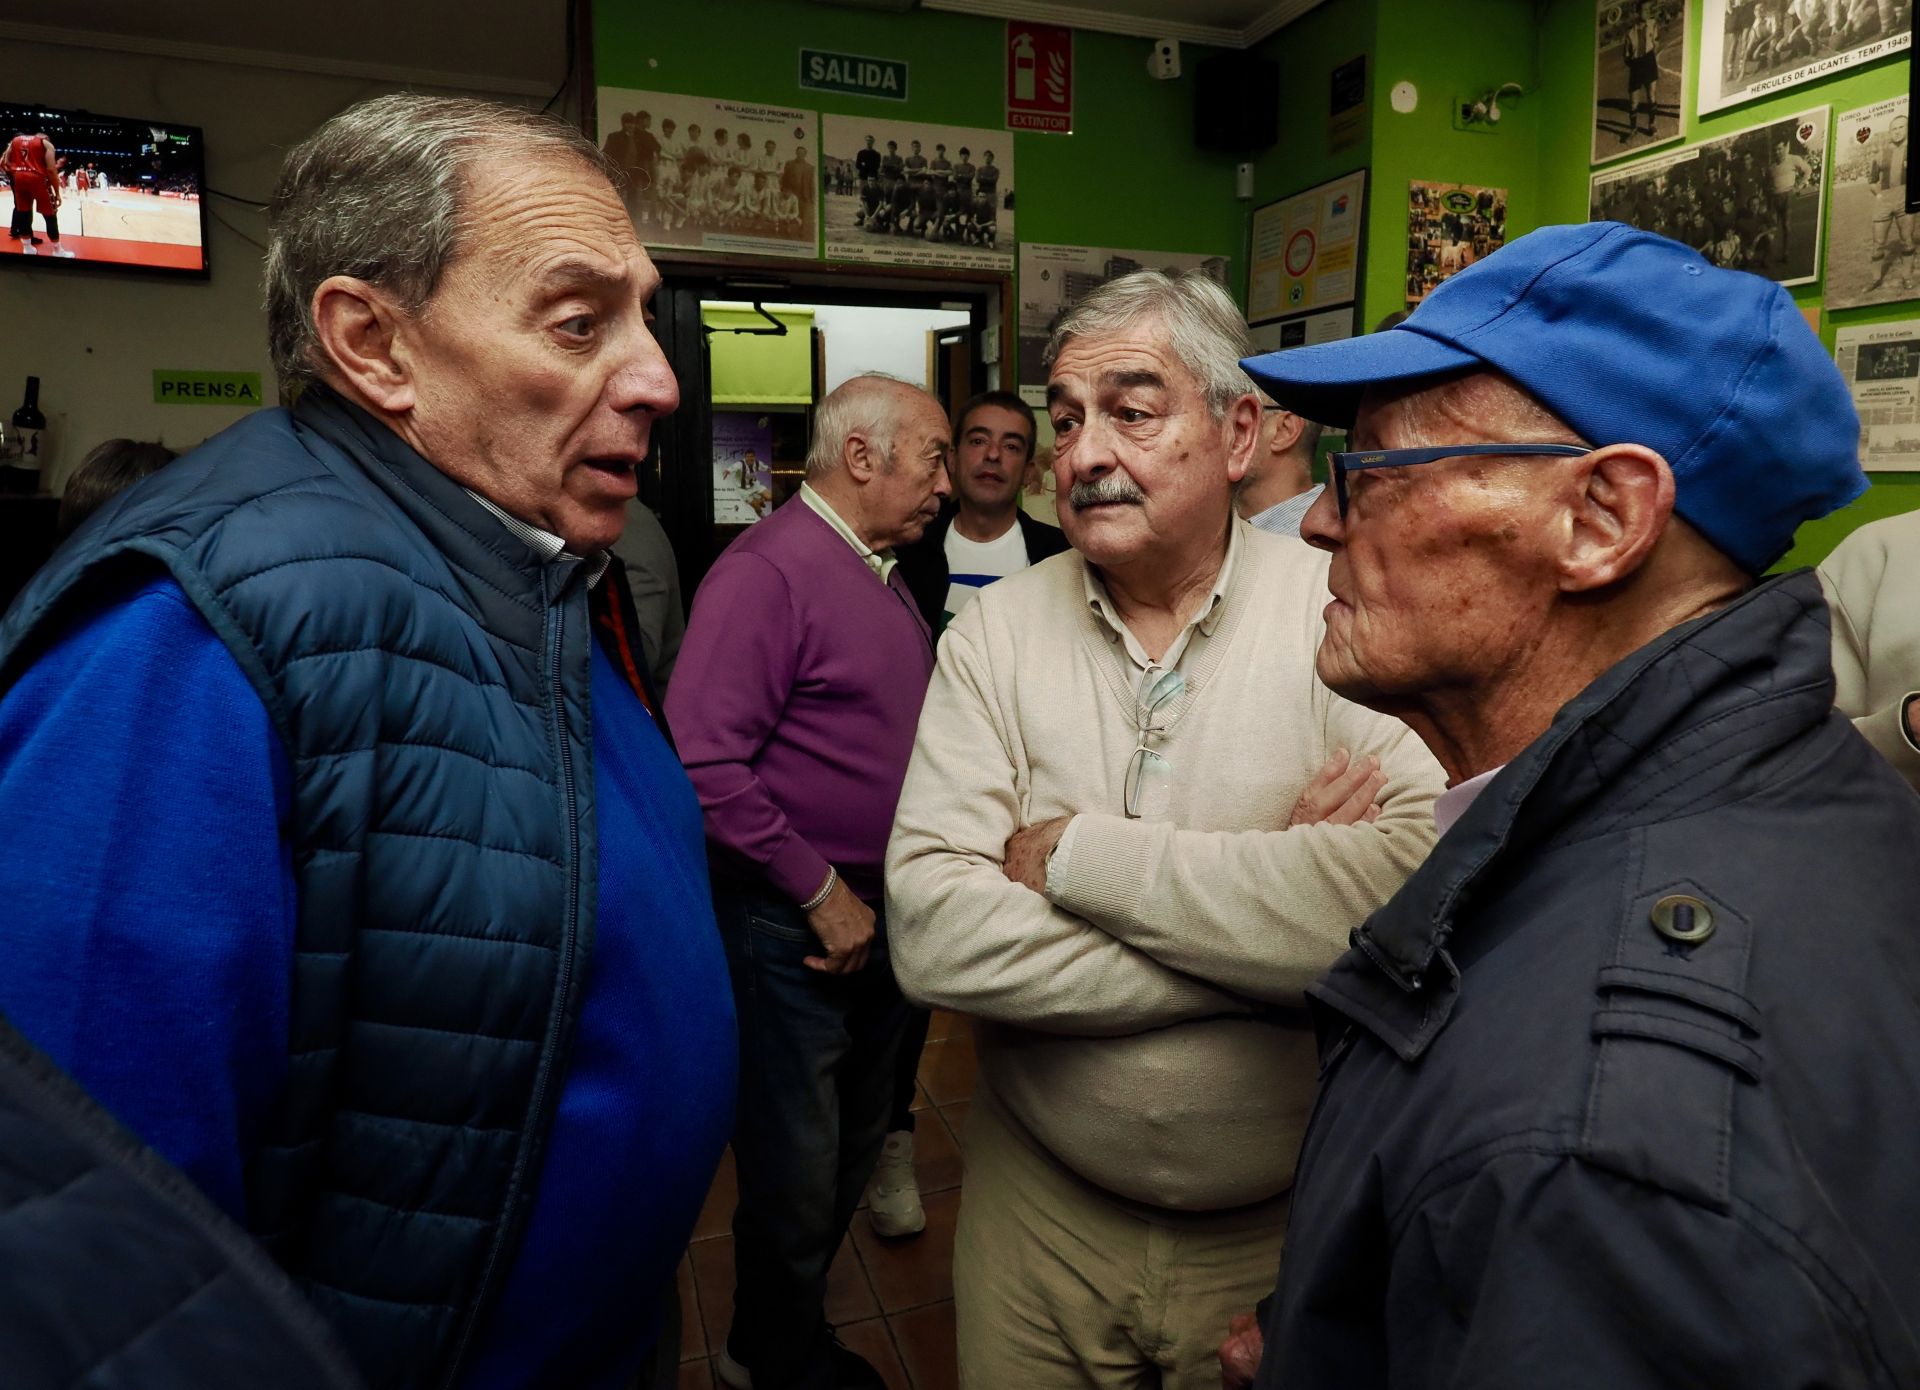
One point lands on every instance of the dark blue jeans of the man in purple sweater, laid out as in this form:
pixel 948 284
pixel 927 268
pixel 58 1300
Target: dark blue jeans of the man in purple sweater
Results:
pixel 817 1072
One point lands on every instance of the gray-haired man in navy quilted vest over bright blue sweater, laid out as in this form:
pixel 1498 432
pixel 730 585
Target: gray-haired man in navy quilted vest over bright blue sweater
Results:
pixel 366 884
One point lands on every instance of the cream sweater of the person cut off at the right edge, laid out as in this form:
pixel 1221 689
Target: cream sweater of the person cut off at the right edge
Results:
pixel 1873 587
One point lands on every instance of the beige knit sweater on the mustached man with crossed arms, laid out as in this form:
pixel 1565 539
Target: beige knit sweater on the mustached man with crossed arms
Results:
pixel 1147 1030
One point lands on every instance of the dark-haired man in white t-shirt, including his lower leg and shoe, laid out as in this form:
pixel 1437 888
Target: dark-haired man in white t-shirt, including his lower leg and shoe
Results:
pixel 982 539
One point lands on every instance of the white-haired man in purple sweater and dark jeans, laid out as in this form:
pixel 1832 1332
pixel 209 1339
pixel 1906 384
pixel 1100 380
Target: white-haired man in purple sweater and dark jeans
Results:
pixel 796 704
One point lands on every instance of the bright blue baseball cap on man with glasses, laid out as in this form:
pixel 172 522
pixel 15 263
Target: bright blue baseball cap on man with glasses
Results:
pixel 1631 339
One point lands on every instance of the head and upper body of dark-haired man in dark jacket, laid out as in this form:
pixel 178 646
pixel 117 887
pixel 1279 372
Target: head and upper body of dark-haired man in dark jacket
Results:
pixel 974 542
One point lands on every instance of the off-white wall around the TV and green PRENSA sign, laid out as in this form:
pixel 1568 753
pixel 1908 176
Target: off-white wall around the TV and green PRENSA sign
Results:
pixel 95 339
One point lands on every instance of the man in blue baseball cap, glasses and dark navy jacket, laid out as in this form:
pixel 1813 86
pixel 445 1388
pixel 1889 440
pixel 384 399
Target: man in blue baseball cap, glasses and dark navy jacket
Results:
pixel 1620 1088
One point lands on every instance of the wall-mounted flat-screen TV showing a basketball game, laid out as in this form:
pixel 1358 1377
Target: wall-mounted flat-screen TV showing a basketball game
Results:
pixel 120 193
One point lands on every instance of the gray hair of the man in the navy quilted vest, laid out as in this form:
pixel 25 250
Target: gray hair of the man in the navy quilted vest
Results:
pixel 379 193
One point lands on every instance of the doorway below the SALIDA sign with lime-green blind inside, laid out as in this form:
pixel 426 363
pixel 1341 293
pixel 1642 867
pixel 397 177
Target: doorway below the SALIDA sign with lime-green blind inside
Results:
pixel 756 352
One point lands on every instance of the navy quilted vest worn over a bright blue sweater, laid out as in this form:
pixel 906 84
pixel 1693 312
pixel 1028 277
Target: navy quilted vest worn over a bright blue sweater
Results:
pixel 429 683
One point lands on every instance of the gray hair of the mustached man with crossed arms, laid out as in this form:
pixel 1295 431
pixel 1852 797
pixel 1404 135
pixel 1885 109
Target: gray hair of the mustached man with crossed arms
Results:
pixel 1201 320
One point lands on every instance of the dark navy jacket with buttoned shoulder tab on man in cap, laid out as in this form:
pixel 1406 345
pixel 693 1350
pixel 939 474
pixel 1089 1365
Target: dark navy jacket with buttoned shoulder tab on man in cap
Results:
pixel 1562 1147
